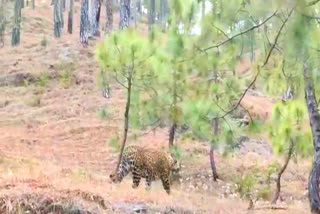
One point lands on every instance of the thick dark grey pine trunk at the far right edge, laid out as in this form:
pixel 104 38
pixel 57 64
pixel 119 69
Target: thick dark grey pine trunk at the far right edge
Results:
pixel 314 118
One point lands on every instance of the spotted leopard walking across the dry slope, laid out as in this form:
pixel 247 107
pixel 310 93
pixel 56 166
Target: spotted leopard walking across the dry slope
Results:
pixel 146 163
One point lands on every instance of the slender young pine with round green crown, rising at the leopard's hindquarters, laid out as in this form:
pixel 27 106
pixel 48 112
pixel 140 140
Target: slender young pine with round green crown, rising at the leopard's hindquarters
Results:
pixel 122 59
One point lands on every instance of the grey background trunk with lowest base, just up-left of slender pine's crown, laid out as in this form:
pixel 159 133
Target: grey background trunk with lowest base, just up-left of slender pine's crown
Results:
pixel 84 22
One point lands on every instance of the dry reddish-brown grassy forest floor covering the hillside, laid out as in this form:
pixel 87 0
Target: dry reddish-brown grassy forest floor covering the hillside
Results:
pixel 54 146
